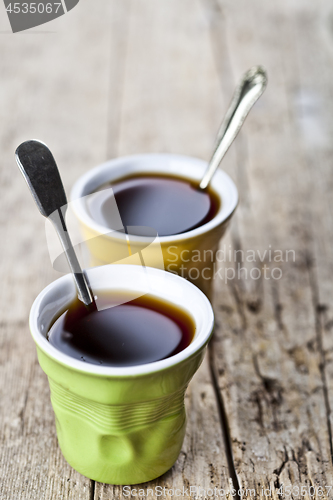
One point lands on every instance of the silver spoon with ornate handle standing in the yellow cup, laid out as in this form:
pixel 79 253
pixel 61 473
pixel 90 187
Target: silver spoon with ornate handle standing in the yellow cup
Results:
pixel 246 94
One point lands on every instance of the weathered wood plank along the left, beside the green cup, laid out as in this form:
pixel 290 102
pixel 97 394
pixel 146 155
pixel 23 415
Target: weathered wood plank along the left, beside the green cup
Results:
pixel 55 87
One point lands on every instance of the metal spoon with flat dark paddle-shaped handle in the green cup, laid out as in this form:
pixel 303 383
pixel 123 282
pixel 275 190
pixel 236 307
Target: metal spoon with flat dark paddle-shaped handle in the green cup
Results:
pixel 40 170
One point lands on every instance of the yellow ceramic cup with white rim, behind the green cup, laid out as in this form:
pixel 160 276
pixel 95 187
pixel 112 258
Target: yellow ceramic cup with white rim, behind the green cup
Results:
pixel 191 254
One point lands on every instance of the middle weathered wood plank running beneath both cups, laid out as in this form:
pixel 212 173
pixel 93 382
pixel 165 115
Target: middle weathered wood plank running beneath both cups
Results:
pixel 172 102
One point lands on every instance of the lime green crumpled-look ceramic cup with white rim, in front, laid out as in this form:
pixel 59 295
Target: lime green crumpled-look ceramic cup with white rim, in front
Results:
pixel 121 425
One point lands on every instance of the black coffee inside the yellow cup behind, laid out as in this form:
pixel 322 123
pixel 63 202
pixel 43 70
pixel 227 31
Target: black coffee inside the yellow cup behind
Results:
pixel 170 205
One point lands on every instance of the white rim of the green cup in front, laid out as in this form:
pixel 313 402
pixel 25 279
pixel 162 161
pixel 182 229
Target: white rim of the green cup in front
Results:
pixel 62 291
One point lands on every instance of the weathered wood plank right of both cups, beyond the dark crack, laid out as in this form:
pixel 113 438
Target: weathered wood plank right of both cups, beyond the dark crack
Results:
pixel 268 348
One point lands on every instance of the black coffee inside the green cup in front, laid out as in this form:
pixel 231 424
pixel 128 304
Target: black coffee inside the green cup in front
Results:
pixel 137 332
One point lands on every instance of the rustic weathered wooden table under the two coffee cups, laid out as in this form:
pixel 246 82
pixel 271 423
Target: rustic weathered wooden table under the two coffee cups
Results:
pixel 120 77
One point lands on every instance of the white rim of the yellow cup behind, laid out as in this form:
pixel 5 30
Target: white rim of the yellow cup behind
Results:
pixel 192 168
